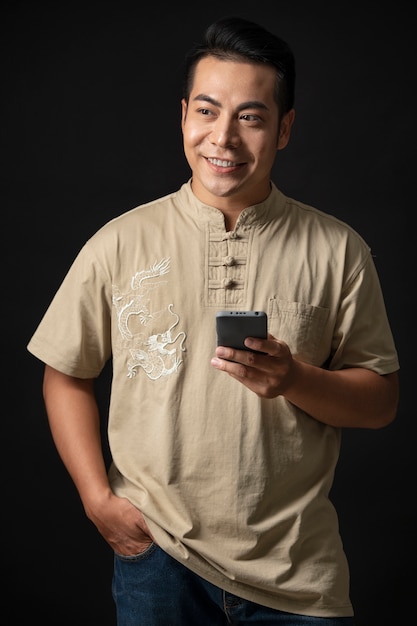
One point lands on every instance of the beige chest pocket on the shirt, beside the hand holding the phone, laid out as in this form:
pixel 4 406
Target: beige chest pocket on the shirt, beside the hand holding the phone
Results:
pixel 302 327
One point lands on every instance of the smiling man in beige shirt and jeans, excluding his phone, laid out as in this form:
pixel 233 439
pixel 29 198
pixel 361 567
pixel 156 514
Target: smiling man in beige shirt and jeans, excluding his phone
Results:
pixel 216 502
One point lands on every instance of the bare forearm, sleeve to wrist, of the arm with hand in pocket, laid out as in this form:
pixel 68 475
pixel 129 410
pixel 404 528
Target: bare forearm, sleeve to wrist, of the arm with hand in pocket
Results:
pixel 75 426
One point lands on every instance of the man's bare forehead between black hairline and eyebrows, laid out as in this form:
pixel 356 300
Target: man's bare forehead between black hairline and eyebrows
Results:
pixel 238 80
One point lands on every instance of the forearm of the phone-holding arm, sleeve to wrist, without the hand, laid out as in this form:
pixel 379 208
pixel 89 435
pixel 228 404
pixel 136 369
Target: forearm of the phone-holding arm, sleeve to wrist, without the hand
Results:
pixel 349 398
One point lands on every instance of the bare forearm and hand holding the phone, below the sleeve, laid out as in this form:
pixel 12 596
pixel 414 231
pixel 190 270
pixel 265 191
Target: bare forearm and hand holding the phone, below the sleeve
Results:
pixel 348 398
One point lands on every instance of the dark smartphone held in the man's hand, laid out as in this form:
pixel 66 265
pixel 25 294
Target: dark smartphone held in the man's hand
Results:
pixel 233 327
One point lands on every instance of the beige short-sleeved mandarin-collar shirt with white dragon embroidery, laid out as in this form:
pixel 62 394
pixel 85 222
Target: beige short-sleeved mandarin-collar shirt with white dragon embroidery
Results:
pixel 233 486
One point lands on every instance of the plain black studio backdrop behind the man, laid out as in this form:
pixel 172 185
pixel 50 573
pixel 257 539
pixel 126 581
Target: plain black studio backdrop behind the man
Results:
pixel 90 128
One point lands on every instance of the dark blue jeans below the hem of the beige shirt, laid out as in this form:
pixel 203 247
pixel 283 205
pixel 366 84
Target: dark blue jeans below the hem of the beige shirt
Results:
pixel 153 589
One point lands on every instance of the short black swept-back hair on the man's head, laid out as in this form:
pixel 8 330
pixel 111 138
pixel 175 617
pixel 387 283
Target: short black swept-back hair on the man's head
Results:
pixel 234 38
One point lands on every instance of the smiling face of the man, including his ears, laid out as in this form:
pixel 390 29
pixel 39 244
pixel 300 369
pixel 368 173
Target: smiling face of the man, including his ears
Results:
pixel 231 132
